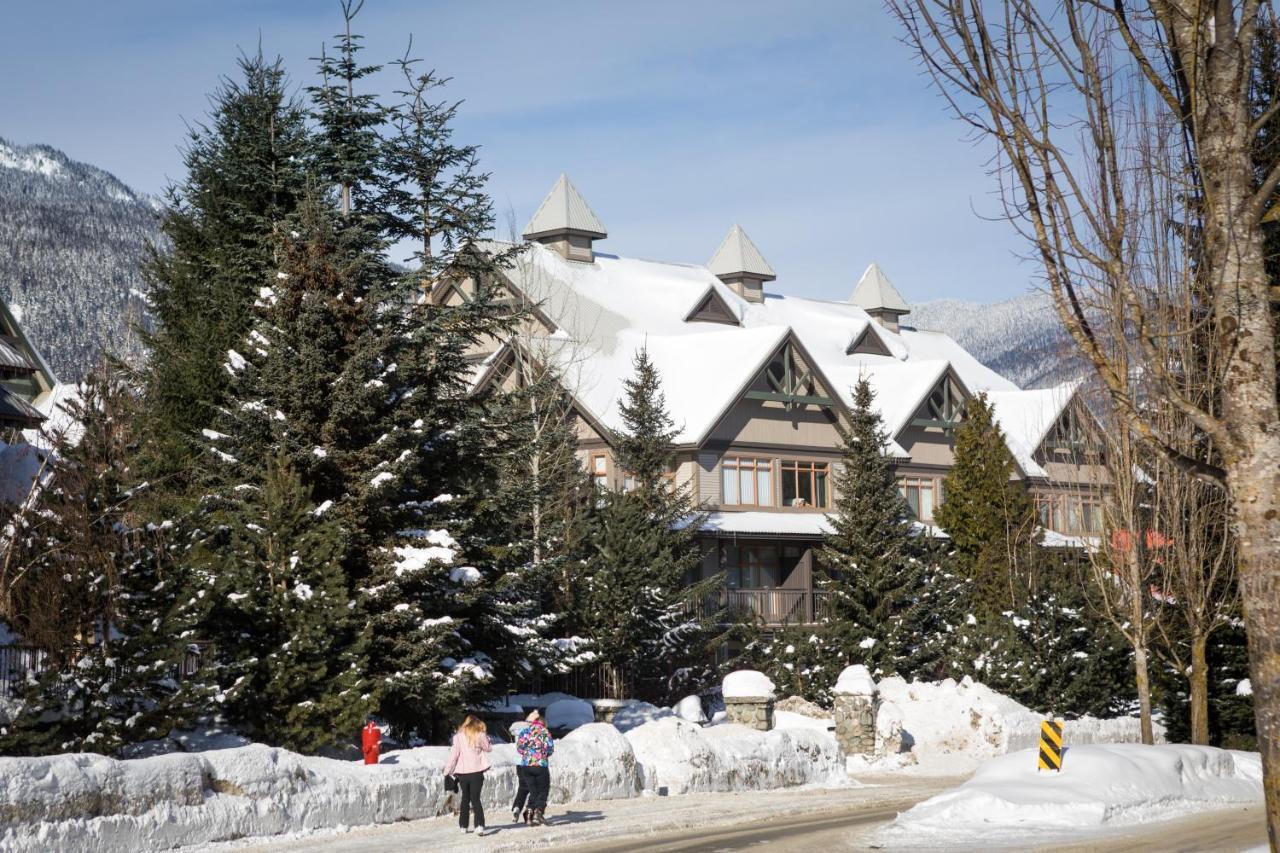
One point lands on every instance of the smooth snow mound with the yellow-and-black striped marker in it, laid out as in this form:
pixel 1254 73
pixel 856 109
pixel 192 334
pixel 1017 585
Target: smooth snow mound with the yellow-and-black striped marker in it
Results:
pixel 1117 784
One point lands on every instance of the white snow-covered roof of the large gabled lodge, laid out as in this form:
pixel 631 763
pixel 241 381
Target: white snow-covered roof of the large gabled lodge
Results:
pixel 607 311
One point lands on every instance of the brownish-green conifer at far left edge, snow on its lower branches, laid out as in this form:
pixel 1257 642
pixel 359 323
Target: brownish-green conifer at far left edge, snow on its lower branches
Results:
pixel 100 594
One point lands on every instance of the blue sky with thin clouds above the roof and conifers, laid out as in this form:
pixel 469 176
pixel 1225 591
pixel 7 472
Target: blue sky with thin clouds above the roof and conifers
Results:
pixel 807 122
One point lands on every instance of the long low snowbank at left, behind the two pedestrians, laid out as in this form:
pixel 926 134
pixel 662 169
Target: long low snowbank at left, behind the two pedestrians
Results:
pixel 92 802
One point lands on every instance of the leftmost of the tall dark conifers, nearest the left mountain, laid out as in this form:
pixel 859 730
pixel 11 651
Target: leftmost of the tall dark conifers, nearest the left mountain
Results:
pixel 245 176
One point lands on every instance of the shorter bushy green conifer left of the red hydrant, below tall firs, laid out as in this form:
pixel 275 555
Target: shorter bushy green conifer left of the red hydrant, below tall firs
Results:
pixel 287 655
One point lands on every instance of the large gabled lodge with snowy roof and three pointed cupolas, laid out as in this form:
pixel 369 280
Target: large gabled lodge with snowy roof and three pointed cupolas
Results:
pixel 757 382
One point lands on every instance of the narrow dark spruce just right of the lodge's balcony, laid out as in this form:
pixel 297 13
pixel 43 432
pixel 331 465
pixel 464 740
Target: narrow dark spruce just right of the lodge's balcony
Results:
pixel 871 563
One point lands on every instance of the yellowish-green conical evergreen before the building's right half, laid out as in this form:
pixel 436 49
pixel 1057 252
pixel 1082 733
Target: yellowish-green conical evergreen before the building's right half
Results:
pixel 990 518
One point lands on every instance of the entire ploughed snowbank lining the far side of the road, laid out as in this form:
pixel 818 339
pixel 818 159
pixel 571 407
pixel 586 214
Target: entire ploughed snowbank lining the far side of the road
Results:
pixel 80 802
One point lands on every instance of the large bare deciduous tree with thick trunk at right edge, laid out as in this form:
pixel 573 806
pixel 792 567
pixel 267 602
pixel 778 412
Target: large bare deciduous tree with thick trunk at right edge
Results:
pixel 1067 93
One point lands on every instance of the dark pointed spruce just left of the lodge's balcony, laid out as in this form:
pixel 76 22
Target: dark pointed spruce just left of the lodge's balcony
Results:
pixel 642 550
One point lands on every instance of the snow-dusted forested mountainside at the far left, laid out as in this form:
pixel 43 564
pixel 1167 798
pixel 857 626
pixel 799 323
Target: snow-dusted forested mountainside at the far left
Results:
pixel 72 239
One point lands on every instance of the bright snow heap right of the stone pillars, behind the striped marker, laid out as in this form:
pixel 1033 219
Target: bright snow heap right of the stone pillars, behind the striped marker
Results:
pixel 972 720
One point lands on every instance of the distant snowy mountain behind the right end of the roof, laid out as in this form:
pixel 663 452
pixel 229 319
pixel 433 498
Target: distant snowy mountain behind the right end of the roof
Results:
pixel 1021 339
